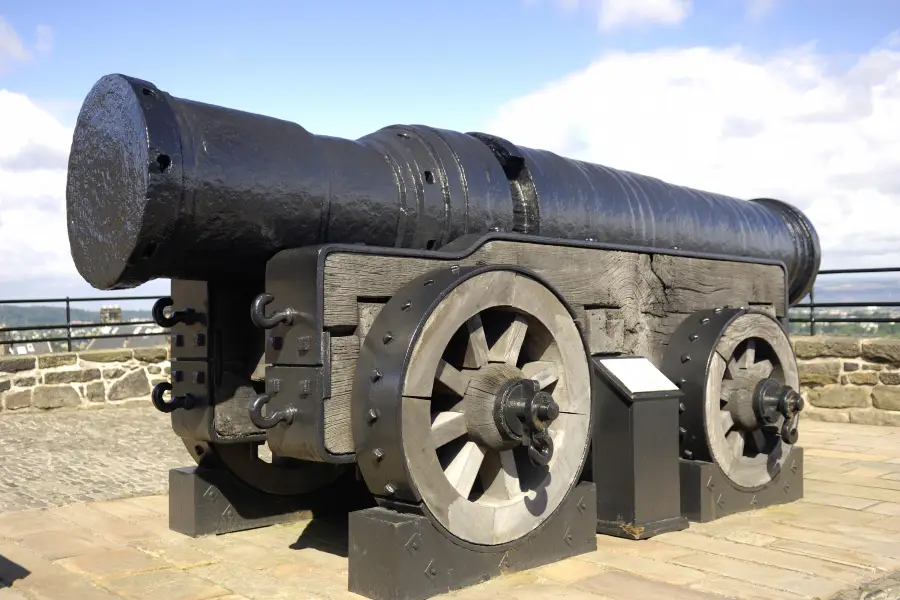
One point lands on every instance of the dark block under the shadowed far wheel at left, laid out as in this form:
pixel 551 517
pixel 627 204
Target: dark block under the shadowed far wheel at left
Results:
pixel 211 501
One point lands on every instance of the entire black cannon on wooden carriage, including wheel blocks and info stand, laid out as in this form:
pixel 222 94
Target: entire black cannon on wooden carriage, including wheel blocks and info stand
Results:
pixel 491 335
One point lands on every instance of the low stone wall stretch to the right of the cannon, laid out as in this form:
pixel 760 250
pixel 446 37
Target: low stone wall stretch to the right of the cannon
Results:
pixel 850 380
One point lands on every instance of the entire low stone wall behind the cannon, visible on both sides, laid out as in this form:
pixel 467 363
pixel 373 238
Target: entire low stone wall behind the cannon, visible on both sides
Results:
pixel 845 380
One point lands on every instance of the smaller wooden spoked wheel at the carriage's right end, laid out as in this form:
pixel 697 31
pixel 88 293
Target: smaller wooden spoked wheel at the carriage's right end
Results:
pixel 753 347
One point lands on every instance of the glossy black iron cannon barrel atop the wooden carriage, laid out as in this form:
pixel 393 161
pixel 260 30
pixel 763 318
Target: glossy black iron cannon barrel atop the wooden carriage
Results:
pixel 160 186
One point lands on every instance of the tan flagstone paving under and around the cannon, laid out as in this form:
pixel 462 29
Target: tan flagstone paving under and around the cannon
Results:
pixel 841 541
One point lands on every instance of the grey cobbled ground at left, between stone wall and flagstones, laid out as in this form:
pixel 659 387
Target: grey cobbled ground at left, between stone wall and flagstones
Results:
pixel 53 459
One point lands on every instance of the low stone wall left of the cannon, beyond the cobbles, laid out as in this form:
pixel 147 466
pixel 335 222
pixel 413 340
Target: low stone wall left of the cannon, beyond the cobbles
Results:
pixel 92 379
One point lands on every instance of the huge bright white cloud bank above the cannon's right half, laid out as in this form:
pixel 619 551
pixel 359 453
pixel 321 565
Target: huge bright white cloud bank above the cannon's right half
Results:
pixel 793 126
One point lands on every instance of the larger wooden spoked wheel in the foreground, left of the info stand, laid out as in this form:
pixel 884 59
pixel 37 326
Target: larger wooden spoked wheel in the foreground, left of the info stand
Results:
pixel 492 329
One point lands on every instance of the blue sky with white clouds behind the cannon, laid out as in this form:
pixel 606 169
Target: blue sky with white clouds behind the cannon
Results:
pixel 793 99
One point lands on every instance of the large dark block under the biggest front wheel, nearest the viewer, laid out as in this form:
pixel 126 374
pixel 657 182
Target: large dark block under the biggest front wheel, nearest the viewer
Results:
pixel 402 556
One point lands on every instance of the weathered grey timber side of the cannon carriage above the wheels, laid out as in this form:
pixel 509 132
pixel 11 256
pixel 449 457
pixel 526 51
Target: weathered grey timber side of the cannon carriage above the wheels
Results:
pixel 626 303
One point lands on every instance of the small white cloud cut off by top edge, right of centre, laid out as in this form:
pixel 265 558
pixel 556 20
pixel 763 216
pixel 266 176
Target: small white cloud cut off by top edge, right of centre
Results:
pixel 614 14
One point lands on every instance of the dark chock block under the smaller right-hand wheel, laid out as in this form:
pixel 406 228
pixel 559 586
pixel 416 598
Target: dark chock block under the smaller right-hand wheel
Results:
pixel 707 495
